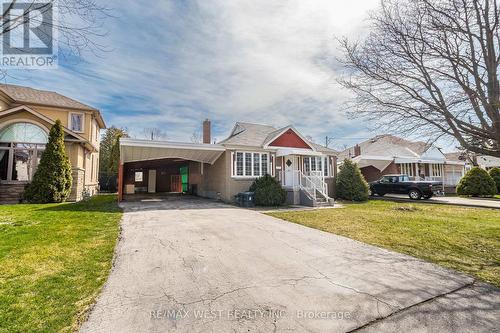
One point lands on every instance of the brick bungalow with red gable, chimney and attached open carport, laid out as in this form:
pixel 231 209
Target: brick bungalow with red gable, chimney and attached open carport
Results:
pixel 305 169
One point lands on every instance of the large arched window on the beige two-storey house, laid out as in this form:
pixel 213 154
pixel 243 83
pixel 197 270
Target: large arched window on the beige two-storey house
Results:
pixel 21 147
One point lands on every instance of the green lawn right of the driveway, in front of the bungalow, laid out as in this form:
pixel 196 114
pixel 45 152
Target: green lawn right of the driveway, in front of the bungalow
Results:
pixel 465 239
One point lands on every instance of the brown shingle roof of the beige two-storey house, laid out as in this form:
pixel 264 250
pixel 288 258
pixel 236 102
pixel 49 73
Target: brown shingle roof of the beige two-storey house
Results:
pixel 27 95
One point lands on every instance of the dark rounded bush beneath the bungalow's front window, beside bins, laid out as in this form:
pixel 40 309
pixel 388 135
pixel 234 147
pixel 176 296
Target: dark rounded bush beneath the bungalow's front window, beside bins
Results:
pixel 268 191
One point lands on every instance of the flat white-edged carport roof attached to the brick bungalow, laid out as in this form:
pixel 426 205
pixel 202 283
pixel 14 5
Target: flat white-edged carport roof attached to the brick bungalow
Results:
pixel 133 150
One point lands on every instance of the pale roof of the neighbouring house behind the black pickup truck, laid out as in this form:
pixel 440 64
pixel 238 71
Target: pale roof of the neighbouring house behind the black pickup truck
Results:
pixel 388 145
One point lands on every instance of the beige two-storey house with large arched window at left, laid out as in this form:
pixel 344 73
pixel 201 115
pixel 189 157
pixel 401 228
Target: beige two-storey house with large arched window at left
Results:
pixel 26 116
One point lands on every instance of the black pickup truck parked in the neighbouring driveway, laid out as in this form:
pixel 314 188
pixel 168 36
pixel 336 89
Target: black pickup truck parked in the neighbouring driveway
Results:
pixel 401 184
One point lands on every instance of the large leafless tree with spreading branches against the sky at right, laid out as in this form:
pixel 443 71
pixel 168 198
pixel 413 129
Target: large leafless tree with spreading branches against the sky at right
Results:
pixel 430 66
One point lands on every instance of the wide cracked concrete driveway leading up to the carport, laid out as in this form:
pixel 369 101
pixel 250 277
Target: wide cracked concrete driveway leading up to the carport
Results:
pixel 201 266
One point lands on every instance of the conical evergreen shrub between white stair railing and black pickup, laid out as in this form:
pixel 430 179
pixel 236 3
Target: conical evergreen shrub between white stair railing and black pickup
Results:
pixel 351 185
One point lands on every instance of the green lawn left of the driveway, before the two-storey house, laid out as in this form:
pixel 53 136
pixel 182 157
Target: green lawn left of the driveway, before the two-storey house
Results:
pixel 54 259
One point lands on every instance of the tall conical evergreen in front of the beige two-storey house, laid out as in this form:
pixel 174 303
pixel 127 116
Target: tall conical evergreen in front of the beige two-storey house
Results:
pixel 52 179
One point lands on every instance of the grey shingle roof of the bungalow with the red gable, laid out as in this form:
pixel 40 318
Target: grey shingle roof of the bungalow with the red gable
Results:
pixel 258 135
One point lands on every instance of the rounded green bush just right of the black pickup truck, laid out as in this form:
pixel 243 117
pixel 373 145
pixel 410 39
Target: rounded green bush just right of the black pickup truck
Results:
pixel 476 182
